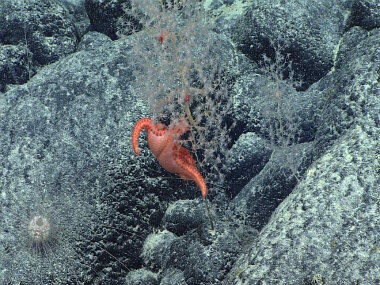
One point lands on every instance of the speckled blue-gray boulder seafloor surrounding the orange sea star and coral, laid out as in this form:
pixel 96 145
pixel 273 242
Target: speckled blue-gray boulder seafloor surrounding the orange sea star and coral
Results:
pixel 298 206
